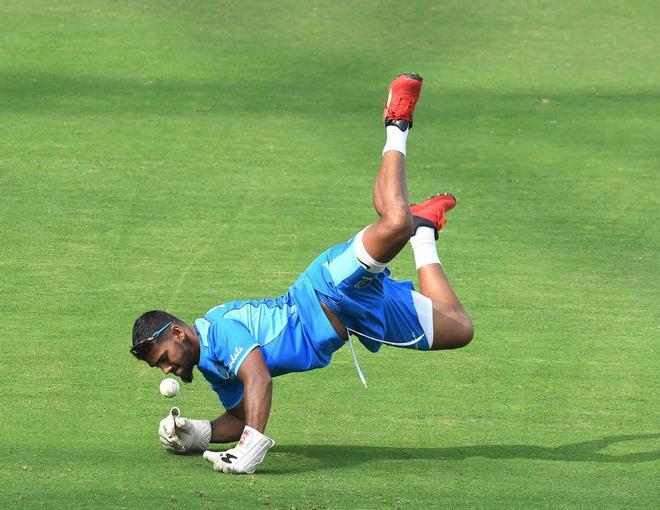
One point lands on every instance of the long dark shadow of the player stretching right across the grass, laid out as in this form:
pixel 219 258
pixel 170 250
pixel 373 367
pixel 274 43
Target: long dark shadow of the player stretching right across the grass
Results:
pixel 339 456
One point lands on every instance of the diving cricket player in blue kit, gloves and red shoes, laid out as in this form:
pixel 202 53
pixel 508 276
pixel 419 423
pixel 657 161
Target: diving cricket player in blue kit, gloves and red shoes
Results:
pixel 347 291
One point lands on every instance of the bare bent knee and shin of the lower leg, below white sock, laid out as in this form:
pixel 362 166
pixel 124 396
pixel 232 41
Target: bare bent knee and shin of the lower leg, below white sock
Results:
pixel 452 327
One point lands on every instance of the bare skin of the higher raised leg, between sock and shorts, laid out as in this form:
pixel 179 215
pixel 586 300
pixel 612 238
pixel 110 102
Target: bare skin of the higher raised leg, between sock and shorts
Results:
pixel 385 238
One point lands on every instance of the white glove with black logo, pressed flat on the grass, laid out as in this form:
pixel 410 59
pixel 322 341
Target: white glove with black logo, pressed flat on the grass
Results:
pixel 245 456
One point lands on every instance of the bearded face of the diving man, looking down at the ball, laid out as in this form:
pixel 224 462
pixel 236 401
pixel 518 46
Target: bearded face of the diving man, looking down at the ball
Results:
pixel 173 354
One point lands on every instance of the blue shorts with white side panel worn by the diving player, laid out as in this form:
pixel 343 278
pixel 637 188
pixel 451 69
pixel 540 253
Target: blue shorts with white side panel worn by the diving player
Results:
pixel 374 307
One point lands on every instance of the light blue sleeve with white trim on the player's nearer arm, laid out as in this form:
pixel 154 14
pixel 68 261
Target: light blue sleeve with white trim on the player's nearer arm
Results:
pixel 233 342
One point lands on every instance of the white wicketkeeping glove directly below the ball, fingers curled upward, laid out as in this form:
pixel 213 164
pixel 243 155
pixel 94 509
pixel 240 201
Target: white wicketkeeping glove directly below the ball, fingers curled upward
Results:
pixel 181 435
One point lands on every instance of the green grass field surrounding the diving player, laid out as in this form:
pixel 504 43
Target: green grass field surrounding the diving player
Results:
pixel 181 154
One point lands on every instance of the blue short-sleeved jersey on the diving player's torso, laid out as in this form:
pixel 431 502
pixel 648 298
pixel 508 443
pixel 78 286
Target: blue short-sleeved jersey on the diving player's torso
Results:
pixel 292 331
